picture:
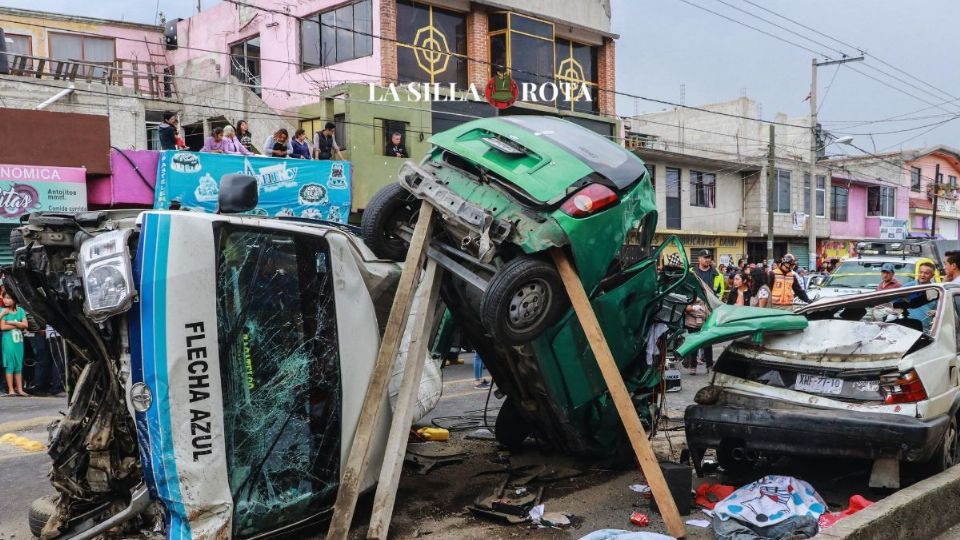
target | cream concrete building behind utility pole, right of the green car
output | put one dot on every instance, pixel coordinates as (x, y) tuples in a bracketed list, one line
[(733, 137)]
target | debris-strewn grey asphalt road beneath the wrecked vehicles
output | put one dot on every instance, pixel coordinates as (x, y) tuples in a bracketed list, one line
[(434, 504)]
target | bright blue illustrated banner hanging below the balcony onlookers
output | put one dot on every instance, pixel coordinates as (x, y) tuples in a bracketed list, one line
[(288, 187)]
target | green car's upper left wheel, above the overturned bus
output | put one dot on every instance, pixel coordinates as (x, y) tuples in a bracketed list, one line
[(390, 208)]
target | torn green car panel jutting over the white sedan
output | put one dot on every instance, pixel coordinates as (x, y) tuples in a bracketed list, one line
[(730, 322)]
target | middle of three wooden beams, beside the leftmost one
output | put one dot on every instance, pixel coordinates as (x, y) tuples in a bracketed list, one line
[(423, 316)]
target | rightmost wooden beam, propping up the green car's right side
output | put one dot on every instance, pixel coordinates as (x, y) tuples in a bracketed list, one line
[(621, 397)]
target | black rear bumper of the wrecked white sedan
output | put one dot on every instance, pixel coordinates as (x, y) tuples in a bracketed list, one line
[(758, 424)]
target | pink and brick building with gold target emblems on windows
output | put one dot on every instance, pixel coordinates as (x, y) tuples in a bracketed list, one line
[(350, 63)]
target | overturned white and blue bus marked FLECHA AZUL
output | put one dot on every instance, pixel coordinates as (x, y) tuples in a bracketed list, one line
[(207, 394)]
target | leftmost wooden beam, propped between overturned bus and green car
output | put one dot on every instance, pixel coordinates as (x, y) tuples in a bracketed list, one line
[(357, 461)]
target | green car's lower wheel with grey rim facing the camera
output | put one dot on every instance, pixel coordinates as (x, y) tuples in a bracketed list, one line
[(524, 298)]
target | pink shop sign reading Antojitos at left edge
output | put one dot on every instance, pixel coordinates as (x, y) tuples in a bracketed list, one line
[(34, 188)]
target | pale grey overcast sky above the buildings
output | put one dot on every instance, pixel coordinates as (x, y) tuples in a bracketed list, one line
[(666, 45)]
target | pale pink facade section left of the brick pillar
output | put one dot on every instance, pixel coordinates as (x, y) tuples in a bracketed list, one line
[(262, 48)]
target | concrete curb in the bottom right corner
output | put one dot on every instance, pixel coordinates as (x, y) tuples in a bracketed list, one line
[(919, 512)]
